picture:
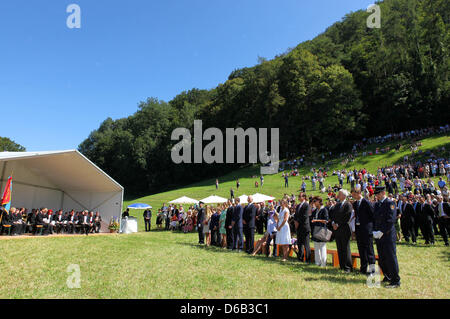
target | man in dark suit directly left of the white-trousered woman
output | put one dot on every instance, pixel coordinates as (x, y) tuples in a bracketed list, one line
[(303, 228)]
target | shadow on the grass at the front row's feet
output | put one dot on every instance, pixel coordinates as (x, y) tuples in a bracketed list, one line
[(327, 274)]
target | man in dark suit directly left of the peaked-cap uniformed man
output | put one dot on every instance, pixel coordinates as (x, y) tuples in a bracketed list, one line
[(363, 230)]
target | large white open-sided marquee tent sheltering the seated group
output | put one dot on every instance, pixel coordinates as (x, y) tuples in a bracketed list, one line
[(60, 180)]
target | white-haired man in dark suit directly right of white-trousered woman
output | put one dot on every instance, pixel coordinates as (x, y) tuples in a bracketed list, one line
[(342, 232)]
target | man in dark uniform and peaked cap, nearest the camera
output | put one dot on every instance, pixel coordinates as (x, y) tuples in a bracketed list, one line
[(385, 217)]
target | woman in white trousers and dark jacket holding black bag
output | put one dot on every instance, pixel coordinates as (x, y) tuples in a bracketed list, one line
[(319, 222)]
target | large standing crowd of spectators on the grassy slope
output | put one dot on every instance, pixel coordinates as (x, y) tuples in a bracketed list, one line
[(393, 204)]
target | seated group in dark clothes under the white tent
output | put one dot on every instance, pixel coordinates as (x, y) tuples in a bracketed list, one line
[(43, 221)]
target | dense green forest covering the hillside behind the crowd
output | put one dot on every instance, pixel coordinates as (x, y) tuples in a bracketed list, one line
[(349, 82)]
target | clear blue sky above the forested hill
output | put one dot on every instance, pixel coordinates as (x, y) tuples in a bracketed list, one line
[(58, 84)]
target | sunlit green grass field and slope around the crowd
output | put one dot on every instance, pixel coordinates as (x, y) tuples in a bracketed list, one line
[(161, 264)]
